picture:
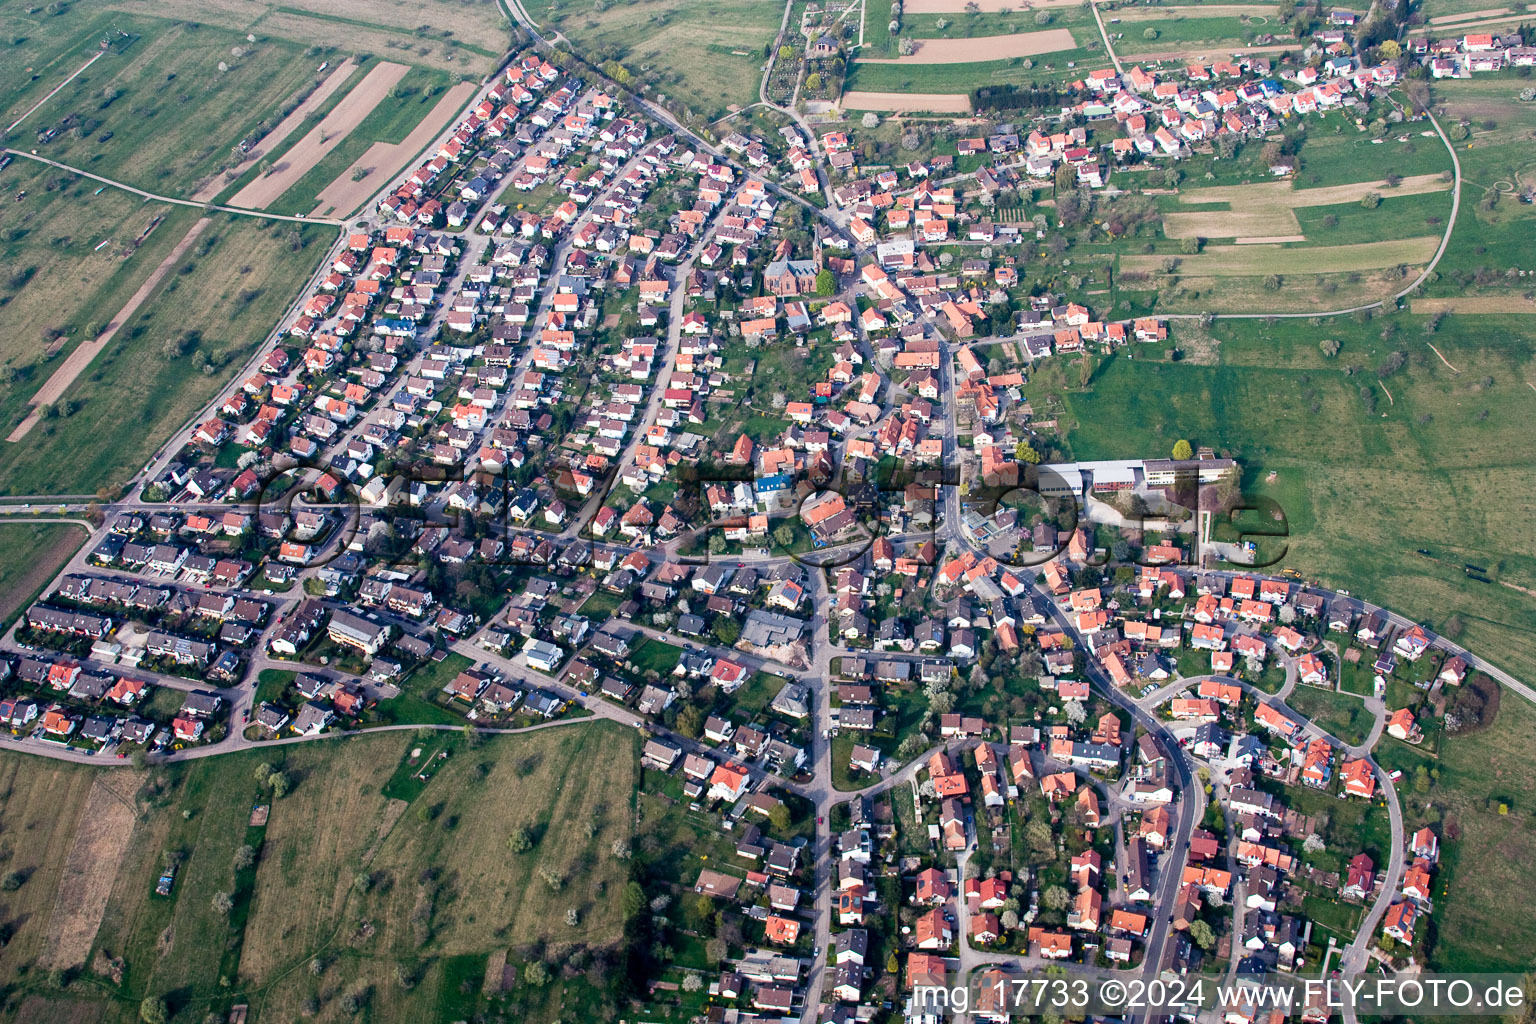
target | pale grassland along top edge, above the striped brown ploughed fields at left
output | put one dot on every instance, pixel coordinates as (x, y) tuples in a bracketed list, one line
[(460, 36)]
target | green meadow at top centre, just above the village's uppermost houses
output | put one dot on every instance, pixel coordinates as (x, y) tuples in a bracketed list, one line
[(709, 55)]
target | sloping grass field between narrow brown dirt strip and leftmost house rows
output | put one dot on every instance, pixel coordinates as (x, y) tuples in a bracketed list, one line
[(213, 311)]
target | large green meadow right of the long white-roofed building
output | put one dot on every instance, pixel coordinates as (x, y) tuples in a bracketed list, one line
[(1365, 483)]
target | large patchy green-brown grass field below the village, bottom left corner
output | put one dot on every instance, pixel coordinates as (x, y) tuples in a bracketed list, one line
[(445, 851)]
